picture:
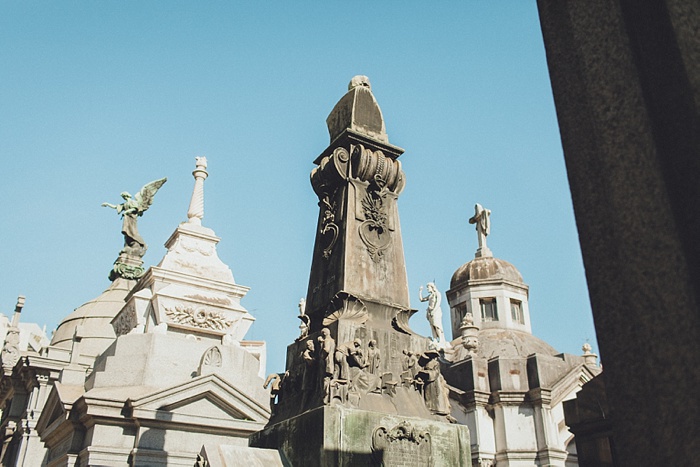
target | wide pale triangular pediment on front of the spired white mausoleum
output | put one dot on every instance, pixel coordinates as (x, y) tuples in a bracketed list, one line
[(206, 400)]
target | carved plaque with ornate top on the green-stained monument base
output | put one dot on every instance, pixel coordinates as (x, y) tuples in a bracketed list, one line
[(402, 445)]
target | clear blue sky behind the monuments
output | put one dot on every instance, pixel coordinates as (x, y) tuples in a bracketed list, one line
[(101, 97)]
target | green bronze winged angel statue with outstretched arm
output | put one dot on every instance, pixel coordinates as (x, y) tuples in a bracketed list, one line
[(131, 209)]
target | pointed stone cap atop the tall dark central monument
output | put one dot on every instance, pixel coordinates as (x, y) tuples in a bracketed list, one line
[(357, 110)]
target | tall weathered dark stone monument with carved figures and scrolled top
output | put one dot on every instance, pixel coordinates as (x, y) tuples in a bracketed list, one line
[(361, 388)]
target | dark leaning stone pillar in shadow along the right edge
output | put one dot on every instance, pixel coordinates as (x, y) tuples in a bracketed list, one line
[(626, 82)]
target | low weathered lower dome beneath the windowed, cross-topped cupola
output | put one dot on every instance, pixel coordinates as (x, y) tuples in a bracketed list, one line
[(506, 343)]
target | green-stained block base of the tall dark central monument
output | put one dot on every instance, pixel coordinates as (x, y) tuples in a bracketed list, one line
[(339, 436)]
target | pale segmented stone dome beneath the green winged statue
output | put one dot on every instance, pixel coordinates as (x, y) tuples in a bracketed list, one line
[(94, 319)]
